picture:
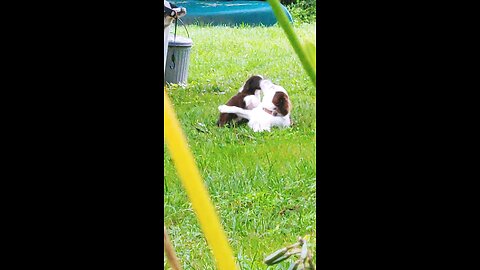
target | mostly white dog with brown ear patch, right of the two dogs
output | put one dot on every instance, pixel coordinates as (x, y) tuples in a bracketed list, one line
[(273, 110)]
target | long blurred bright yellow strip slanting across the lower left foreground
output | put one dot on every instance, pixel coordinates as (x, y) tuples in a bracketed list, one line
[(195, 188)]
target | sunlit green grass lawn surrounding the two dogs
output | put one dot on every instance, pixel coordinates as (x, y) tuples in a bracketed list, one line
[(262, 184)]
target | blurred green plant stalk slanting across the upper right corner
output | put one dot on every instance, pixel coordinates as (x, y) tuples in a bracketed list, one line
[(292, 37)]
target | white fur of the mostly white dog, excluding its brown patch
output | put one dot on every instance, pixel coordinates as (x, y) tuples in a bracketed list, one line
[(258, 119)]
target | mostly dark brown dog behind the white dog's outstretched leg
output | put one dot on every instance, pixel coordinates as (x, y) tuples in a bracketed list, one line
[(248, 97)]
